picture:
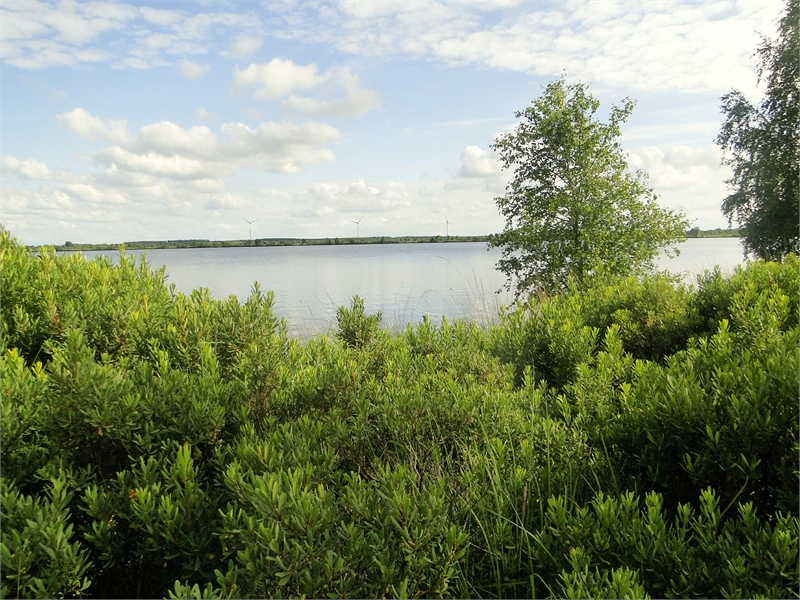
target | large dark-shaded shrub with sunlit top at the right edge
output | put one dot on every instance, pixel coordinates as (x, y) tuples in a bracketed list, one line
[(727, 417)]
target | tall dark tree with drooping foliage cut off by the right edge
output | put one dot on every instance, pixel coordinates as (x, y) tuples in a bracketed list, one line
[(762, 145)]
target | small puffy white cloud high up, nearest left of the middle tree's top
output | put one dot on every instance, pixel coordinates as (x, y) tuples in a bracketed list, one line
[(282, 77)]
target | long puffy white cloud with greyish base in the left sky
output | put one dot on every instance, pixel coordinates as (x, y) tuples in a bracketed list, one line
[(167, 150)]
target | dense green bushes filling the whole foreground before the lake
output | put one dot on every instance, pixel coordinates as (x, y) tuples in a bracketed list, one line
[(634, 438)]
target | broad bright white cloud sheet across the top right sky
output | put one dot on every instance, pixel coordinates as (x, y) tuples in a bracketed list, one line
[(648, 46)]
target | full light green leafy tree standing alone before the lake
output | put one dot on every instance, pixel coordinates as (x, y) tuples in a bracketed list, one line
[(573, 209)]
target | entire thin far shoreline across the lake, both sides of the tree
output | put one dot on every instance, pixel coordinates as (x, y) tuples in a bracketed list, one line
[(328, 241)]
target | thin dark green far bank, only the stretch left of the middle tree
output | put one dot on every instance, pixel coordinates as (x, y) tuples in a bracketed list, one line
[(267, 242)]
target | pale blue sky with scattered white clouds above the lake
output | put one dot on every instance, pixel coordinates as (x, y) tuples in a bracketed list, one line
[(179, 120)]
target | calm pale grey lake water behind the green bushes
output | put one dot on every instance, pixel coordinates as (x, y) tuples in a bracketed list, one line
[(405, 281)]
